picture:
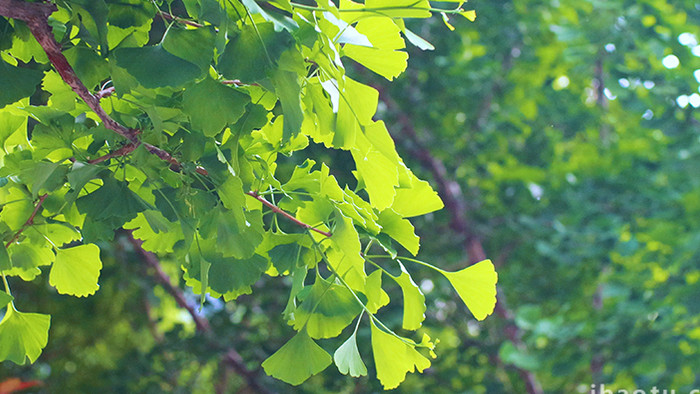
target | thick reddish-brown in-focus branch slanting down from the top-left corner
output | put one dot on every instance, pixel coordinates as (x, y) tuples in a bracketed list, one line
[(36, 15)]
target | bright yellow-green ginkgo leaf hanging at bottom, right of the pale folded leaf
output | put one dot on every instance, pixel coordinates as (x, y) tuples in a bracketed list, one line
[(394, 358)]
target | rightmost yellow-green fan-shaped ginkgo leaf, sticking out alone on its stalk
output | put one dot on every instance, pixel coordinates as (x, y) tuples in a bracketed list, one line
[(476, 286)]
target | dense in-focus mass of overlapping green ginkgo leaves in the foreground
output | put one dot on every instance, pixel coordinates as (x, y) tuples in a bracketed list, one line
[(217, 101)]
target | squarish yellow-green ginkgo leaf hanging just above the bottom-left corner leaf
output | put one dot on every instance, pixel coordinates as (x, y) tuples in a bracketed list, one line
[(76, 270)]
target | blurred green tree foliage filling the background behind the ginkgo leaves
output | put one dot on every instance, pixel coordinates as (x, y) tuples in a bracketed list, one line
[(562, 136)]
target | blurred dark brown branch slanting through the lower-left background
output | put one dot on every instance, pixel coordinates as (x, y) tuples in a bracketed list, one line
[(231, 357)]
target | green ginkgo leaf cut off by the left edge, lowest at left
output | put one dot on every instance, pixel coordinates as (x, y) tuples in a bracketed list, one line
[(23, 336)]
